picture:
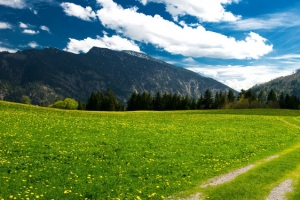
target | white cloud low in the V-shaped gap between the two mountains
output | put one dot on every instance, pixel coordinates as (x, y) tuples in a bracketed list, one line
[(243, 77)]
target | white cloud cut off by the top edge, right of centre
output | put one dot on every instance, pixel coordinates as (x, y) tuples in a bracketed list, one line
[(204, 10)]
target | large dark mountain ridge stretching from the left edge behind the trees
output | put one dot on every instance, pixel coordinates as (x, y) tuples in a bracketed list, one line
[(50, 74)]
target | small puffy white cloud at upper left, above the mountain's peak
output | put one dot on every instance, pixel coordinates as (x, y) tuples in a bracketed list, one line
[(74, 10)]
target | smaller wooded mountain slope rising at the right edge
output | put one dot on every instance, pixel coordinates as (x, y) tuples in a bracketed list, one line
[(287, 84)]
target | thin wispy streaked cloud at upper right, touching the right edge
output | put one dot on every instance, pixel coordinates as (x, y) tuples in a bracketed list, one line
[(269, 21)]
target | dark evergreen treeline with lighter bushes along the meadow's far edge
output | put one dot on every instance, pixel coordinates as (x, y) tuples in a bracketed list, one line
[(162, 102)]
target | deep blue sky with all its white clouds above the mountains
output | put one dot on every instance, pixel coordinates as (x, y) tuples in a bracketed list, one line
[(240, 43)]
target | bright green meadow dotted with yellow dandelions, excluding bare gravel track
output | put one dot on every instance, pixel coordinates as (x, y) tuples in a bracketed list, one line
[(56, 154)]
